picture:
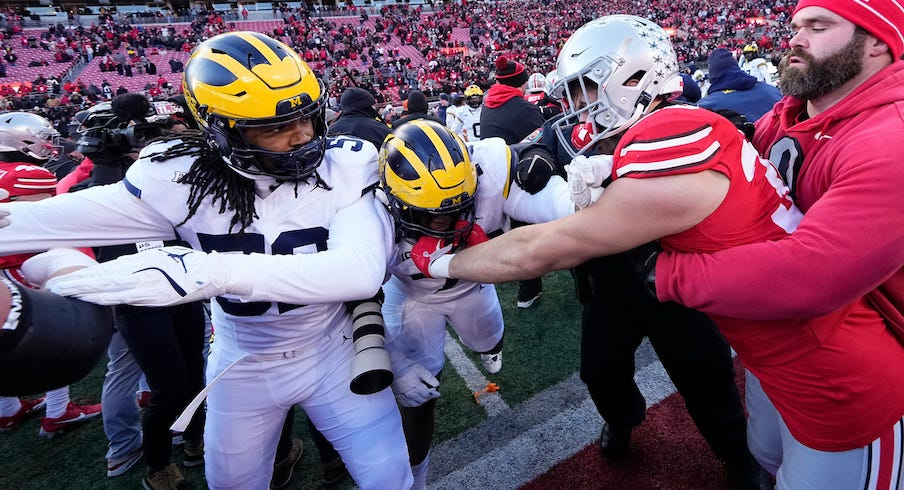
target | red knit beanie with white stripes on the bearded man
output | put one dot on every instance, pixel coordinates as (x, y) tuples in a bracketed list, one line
[(881, 18)]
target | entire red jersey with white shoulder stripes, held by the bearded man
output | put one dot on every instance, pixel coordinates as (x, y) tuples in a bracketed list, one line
[(810, 368)]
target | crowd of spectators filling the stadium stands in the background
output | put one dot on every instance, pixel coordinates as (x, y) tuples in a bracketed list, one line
[(456, 45)]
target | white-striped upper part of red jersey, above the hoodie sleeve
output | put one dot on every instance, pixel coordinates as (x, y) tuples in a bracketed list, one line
[(684, 139)]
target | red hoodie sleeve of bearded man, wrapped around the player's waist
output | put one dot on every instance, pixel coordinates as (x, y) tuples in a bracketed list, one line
[(849, 242)]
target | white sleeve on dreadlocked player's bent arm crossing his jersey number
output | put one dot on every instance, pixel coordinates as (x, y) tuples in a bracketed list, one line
[(357, 248)]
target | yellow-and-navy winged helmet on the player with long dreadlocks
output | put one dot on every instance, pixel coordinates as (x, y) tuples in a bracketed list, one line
[(242, 80)]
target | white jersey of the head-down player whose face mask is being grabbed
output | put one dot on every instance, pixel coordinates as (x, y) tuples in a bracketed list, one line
[(498, 199)]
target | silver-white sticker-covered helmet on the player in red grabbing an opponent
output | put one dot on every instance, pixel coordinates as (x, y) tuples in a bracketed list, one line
[(610, 71)]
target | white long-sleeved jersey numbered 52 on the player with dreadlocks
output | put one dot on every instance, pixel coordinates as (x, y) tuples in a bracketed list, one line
[(308, 253)]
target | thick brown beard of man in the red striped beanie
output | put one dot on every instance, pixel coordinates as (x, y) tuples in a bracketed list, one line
[(822, 76)]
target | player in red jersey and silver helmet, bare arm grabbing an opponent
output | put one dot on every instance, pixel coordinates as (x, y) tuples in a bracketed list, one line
[(685, 176)]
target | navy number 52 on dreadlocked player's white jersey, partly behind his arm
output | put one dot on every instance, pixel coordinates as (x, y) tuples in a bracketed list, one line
[(285, 244)]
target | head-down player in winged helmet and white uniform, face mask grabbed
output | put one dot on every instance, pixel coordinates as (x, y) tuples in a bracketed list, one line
[(439, 187)]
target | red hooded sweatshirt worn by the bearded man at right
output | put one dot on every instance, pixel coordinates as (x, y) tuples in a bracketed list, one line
[(850, 242)]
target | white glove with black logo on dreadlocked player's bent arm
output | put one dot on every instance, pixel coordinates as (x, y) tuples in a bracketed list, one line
[(159, 277)]
